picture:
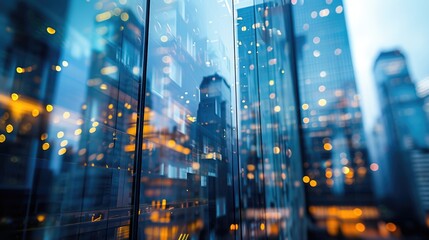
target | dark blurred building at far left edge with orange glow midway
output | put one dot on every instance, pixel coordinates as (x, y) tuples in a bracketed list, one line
[(28, 79)]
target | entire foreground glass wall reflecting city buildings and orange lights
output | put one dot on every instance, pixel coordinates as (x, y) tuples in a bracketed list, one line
[(171, 119)]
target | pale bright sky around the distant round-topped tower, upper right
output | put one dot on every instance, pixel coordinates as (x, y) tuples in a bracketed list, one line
[(382, 25)]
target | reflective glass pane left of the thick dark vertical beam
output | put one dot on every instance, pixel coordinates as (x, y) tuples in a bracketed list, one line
[(69, 71)]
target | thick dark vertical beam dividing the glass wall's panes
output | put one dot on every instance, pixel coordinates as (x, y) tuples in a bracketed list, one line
[(135, 199)]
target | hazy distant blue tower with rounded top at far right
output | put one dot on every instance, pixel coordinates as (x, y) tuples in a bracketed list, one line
[(402, 135)]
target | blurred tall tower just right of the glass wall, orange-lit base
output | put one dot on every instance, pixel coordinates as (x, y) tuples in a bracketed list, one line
[(336, 164)]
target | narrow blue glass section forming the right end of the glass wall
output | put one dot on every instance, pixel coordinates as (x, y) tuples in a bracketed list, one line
[(270, 158)]
